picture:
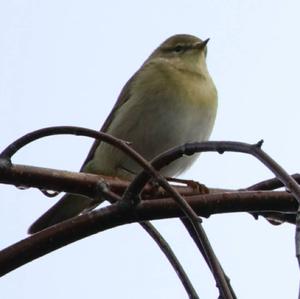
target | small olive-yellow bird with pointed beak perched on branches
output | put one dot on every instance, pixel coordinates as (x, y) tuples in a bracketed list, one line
[(171, 100)]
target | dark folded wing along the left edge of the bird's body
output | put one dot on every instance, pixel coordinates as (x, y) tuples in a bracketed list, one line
[(123, 98)]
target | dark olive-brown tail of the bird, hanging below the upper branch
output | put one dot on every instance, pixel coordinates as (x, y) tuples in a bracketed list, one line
[(68, 206)]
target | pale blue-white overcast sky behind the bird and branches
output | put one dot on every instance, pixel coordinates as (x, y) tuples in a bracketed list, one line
[(65, 62)]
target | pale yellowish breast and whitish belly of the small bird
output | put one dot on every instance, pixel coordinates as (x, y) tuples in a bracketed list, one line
[(165, 109)]
